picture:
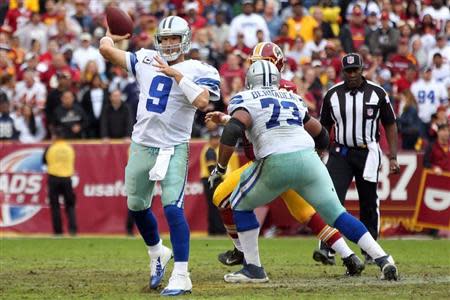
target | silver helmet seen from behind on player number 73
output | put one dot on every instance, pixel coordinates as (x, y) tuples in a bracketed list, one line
[(262, 74)]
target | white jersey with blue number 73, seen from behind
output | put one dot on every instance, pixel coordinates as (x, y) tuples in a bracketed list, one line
[(277, 121)]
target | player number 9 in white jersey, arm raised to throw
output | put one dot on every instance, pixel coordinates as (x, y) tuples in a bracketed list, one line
[(171, 90)]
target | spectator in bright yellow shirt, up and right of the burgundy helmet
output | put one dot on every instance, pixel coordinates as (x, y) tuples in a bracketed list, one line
[(300, 24)]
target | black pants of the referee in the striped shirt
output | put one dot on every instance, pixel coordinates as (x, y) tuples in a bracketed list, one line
[(343, 164)]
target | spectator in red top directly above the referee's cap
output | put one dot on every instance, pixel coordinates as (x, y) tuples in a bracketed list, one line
[(352, 35)]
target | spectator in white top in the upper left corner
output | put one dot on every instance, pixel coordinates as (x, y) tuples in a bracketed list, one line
[(34, 30)]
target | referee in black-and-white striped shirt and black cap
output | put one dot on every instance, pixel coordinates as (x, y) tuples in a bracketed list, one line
[(355, 108)]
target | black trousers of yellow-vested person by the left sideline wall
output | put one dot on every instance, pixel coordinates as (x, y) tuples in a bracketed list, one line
[(62, 186)]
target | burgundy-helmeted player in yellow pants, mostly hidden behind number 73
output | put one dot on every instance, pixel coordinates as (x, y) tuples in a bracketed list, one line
[(297, 206)]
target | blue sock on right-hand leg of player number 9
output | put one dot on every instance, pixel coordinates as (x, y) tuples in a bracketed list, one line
[(179, 232)]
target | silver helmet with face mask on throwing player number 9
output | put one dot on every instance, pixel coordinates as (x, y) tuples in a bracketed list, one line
[(169, 26)]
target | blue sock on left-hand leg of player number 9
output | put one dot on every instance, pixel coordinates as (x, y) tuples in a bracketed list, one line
[(147, 226)]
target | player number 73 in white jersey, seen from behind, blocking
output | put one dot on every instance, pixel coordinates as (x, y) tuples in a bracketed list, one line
[(276, 123)]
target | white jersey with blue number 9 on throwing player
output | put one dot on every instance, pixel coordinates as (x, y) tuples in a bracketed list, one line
[(164, 115)]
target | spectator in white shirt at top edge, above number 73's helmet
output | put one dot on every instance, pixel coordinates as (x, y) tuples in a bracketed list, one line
[(248, 23)]
